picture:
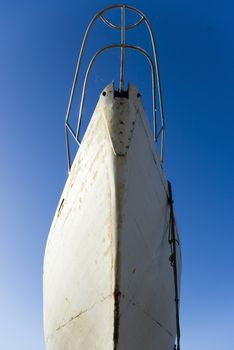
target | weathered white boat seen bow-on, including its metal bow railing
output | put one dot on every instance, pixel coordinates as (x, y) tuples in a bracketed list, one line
[(112, 264)]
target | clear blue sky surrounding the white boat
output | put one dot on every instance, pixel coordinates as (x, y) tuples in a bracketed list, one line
[(39, 45)]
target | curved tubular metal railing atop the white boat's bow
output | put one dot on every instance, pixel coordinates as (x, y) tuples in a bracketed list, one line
[(122, 46)]
